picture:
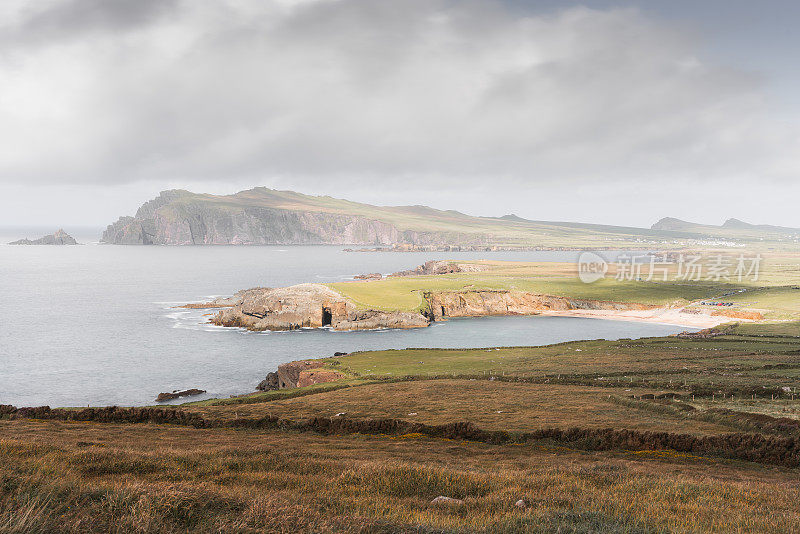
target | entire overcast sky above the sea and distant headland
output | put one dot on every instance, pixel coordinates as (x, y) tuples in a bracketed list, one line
[(614, 112)]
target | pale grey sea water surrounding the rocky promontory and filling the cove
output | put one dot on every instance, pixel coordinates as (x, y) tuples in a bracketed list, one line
[(96, 324)]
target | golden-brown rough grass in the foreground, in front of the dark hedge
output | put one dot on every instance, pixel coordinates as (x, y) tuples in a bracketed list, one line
[(85, 477)]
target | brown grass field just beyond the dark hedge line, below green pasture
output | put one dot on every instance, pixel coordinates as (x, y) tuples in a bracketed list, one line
[(492, 405)]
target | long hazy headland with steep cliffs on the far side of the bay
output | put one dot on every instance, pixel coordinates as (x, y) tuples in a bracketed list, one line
[(266, 216)]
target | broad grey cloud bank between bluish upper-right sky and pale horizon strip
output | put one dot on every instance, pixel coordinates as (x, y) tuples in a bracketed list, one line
[(416, 91)]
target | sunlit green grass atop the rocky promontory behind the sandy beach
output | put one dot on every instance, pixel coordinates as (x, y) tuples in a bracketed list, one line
[(776, 291)]
